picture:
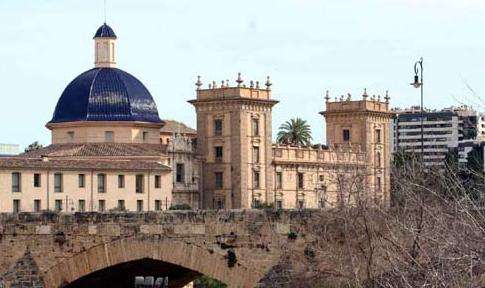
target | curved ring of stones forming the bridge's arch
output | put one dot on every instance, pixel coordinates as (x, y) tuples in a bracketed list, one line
[(174, 251)]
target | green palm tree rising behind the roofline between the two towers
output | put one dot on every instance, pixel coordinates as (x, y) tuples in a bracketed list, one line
[(295, 132)]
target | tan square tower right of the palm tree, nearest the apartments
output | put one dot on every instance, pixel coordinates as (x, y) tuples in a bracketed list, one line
[(365, 125)]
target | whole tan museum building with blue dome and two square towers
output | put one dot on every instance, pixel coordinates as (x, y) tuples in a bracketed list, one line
[(111, 151)]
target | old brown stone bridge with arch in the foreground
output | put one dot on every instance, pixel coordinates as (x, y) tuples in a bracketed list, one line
[(240, 248)]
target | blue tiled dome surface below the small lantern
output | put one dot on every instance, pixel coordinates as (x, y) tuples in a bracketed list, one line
[(106, 94)]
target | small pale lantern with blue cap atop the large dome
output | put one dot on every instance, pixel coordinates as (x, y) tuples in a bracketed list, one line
[(104, 47)]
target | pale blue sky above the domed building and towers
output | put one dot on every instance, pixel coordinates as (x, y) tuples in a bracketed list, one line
[(306, 46)]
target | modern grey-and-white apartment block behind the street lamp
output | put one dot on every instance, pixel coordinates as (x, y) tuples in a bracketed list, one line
[(453, 129)]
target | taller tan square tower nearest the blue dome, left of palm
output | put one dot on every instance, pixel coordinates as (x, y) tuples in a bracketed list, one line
[(234, 143)]
